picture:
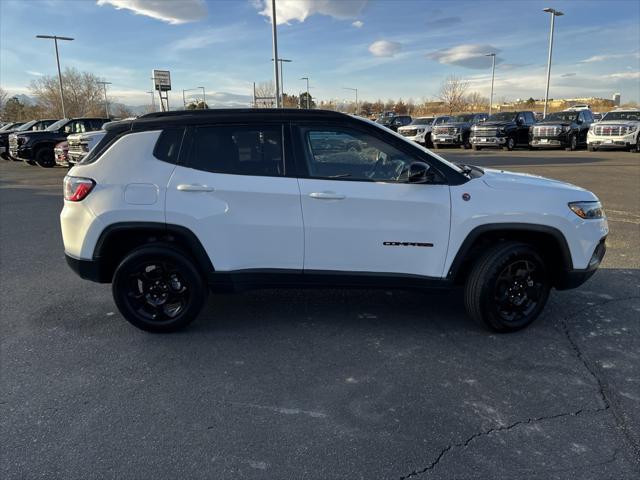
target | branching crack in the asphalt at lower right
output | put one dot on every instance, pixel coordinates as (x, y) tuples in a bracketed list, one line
[(602, 390)]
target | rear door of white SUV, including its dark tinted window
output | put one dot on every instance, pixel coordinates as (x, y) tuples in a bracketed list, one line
[(233, 193)]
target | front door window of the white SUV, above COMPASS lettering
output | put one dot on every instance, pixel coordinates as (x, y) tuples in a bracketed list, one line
[(340, 153)]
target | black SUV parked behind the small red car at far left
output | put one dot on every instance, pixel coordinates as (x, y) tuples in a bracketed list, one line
[(37, 147)]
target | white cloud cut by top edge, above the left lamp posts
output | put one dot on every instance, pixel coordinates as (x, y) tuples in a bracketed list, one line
[(171, 11)]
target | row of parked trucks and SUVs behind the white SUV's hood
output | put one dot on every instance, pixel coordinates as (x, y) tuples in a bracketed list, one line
[(569, 129)]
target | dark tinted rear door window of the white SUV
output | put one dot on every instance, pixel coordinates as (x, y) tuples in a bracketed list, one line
[(239, 150)]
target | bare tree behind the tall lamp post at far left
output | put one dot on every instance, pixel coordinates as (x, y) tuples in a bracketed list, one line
[(83, 94)]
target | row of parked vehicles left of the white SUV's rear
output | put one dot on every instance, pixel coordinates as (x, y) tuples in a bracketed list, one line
[(49, 142)]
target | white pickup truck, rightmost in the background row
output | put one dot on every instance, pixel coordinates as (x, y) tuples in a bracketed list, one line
[(618, 129)]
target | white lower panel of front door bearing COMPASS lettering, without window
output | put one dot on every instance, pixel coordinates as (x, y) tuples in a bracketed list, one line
[(349, 233)]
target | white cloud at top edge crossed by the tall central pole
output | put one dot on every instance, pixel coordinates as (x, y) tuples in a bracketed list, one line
[(288, 10)]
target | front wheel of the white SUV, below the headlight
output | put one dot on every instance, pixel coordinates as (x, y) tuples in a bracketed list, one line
[(500, 294)]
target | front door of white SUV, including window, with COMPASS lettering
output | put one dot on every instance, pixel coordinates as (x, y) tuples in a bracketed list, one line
[(361, 214)]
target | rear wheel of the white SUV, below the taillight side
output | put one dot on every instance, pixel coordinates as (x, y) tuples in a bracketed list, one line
[(147, 278)]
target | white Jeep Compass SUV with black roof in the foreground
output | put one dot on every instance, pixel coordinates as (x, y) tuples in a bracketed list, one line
[(172, 204)]
